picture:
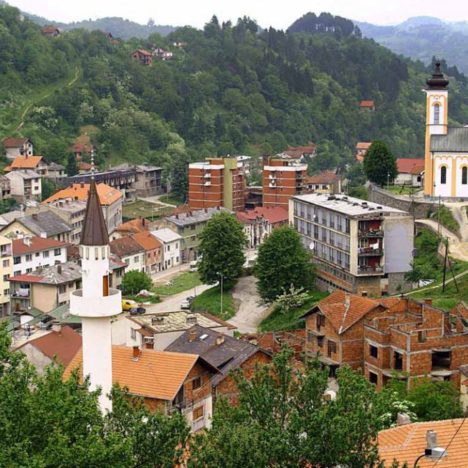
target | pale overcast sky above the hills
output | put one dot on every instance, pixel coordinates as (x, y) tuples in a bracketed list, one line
[(276, 13)]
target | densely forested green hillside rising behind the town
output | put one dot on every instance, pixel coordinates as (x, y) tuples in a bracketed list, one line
[(231, 89)]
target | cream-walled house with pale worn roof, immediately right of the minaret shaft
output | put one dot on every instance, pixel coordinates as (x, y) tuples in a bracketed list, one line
[(158, 331)]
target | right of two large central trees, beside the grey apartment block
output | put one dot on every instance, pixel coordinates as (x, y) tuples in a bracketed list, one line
[(282, 263)]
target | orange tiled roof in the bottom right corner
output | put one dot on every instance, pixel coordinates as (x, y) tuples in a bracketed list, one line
[(406, 443)]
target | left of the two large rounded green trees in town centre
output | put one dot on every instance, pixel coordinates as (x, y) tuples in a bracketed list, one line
[(222, 243)]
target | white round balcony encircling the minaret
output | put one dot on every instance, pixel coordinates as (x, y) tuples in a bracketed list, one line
[(96, 307)]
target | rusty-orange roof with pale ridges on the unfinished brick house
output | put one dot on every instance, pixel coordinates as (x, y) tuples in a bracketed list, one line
[(343, 315)]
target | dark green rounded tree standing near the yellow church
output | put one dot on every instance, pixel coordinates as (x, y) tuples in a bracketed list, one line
[(380, 164)]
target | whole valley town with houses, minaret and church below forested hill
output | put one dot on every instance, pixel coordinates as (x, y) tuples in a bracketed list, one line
[(271, 297)]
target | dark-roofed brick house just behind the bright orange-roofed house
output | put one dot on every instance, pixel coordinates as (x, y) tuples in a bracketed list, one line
[(223, 352)]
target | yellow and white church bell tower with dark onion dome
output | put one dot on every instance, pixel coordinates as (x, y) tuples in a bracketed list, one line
[(436, 122)]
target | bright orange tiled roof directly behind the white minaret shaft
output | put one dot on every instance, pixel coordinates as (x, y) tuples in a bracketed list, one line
[(156, 374)]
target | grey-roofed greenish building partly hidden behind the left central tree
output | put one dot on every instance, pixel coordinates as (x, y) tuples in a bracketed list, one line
[(189, 226)]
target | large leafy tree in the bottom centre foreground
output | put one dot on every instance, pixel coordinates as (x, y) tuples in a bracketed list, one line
[(283, 420)]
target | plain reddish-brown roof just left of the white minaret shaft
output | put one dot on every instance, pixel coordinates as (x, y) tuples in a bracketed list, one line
[(62, 345)]
